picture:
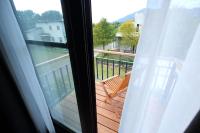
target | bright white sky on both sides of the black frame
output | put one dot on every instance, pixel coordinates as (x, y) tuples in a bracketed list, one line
[(110, 9)]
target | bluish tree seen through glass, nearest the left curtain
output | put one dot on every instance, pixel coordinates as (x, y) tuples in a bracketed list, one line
[(28, 19)]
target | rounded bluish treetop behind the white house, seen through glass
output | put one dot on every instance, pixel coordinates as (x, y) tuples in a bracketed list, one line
[(51, 16)]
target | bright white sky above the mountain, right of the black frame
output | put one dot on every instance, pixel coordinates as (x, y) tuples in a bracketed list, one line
[(114, 9)]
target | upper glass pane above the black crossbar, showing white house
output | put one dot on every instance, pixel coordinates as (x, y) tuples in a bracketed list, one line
[(41, 21)]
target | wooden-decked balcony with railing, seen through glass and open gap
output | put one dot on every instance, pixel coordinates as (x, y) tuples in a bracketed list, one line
[(57, 85)]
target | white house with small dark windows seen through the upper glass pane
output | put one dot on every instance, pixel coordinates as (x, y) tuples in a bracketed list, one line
[(47, 31)]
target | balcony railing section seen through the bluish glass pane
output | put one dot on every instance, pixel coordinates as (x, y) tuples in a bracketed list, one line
[(56, 84)]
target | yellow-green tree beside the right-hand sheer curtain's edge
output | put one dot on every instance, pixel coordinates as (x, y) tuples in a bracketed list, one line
[(130, 36)]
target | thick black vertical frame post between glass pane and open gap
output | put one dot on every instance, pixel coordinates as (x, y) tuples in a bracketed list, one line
[(78, 26)]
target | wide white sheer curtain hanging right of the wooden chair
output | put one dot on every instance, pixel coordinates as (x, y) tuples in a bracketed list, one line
[(163, 94)]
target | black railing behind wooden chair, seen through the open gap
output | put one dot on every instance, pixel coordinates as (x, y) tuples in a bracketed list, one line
[(106, 67)]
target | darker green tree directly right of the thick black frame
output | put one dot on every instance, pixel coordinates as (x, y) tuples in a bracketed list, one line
[(103, 33)]
